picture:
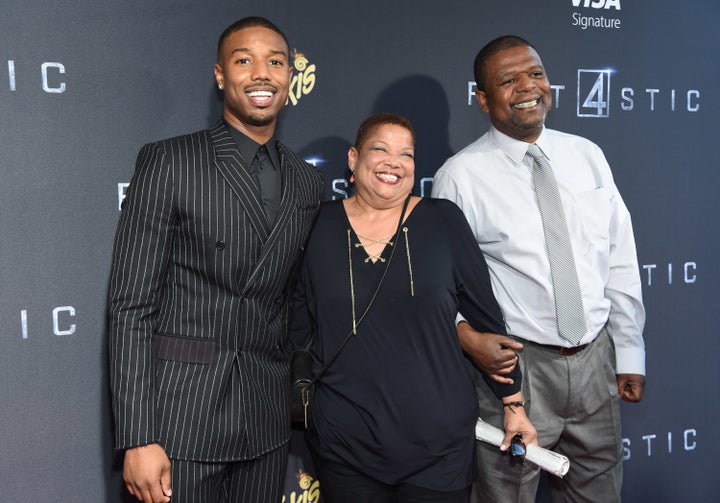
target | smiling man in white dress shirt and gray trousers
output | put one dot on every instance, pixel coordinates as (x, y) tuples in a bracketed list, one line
[(572, 388)]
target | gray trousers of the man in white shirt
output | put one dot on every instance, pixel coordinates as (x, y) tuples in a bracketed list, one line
[(574, 406)]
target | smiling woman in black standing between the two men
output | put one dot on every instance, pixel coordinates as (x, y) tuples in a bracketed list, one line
[(393, 417)]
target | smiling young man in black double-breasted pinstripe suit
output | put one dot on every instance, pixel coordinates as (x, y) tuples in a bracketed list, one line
[(210, 231)]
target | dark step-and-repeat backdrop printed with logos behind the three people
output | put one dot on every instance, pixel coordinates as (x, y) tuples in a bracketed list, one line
[(84, 84)]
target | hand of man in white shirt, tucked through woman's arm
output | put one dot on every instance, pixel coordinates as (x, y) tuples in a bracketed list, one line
[(493, 354)]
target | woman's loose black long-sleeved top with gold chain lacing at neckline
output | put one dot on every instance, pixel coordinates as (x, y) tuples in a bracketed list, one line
[(399, 403)]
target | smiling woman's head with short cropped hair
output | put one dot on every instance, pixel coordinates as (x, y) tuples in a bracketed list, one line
[(384, 165)]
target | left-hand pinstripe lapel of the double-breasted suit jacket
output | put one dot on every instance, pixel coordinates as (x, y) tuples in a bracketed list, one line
[(235, 170)]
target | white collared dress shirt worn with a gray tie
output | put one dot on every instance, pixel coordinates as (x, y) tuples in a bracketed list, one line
[(491, 181)]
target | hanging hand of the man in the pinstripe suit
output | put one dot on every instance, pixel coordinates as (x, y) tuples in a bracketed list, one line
[(146, 472)]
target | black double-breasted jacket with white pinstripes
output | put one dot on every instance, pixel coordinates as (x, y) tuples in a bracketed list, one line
[(198, 300)]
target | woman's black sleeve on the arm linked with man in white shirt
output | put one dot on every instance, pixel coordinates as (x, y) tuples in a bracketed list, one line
[(476, 300)]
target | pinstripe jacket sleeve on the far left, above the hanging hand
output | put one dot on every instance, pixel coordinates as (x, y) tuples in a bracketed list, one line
[(141, 253)]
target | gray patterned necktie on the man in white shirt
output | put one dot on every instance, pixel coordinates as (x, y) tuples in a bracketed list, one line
[(568, 298)]
